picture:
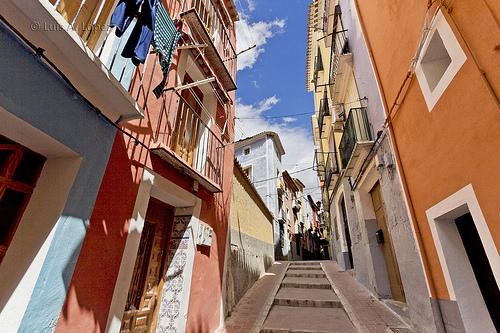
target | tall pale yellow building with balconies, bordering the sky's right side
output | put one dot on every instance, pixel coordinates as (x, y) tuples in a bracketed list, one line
[(330, 78)]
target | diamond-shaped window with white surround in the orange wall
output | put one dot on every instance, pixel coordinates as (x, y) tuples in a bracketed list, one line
[(440, 60)]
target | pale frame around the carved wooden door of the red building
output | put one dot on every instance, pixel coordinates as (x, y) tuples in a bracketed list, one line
[(185, 203)]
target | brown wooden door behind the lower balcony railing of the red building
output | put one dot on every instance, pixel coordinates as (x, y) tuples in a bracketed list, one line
[(186, 132)]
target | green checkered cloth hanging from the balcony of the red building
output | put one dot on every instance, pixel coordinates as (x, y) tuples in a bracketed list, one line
[(166, 36)]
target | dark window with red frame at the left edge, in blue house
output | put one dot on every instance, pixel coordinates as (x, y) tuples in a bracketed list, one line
[(19, 172)]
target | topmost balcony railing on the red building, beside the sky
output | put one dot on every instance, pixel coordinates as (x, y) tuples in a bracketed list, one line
[(210, 15)]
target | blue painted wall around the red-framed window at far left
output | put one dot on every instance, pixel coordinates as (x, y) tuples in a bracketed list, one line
[(30, 90)]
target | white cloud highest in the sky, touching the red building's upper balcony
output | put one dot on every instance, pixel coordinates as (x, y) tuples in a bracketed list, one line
[(257, 33)]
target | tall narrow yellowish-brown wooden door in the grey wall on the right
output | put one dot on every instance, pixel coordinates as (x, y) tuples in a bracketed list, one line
[(390, 258)]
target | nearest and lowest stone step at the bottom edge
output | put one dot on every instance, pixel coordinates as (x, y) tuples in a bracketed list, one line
[(307, 319)]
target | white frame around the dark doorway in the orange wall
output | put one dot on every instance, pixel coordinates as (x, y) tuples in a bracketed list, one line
[(458, 275)]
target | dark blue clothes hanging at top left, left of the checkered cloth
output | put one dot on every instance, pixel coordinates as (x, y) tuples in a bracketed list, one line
[(137, 46)]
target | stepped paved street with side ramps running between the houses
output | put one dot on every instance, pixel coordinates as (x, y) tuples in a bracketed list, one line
[(306, 297)]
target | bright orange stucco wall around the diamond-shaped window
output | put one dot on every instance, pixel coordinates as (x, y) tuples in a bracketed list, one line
[(458, 143)]
